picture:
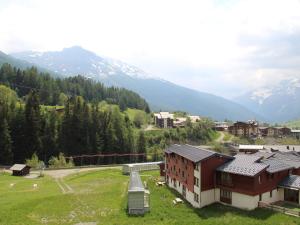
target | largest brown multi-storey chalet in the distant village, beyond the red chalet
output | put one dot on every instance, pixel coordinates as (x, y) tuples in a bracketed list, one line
[(246, 129)]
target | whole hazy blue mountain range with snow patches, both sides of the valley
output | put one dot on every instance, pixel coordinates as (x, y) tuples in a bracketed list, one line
[(272, 104)]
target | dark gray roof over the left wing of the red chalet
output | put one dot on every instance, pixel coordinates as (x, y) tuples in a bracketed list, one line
[(192, 153)]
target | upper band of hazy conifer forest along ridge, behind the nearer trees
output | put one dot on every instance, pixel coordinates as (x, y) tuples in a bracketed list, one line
[(55, 91)]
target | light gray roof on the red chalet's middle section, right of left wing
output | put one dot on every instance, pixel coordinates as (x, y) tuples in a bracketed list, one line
[(246, 165)]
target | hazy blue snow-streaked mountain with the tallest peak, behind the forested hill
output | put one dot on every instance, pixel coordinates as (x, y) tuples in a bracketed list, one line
[(161, 94)]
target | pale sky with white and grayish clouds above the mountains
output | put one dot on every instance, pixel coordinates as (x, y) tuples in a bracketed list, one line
[(221, 47)]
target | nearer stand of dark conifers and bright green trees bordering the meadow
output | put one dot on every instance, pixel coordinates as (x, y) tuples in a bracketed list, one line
[(78, 128)]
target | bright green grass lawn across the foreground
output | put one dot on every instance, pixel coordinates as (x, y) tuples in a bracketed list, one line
[(100, 196)]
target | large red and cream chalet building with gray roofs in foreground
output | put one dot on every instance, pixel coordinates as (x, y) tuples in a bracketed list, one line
[(204, 177)]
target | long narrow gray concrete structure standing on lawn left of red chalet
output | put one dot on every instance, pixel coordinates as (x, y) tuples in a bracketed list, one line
[(138, 196)]
